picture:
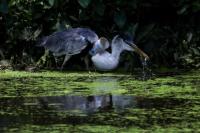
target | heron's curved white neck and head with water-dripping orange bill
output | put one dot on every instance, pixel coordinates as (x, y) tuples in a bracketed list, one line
[(106, 61)]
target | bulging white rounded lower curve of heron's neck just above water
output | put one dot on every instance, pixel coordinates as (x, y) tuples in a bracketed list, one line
[(104, 61)]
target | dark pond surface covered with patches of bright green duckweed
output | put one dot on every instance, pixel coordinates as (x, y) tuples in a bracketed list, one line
[(99, 103)]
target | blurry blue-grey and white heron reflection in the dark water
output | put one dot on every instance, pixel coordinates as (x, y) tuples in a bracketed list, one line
[(88, 104)]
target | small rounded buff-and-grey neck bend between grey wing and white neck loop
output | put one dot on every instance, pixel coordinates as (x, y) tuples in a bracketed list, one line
[(100, 46)]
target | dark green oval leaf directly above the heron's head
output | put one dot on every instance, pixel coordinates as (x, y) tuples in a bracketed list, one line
[(120, 19)]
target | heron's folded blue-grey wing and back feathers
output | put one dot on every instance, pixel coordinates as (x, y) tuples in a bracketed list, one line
[(70, 41)]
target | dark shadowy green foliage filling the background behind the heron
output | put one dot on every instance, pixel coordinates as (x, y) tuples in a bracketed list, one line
[(168, 31)]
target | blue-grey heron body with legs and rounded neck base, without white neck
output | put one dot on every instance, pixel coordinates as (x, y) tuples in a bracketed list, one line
[(73, 41)]
